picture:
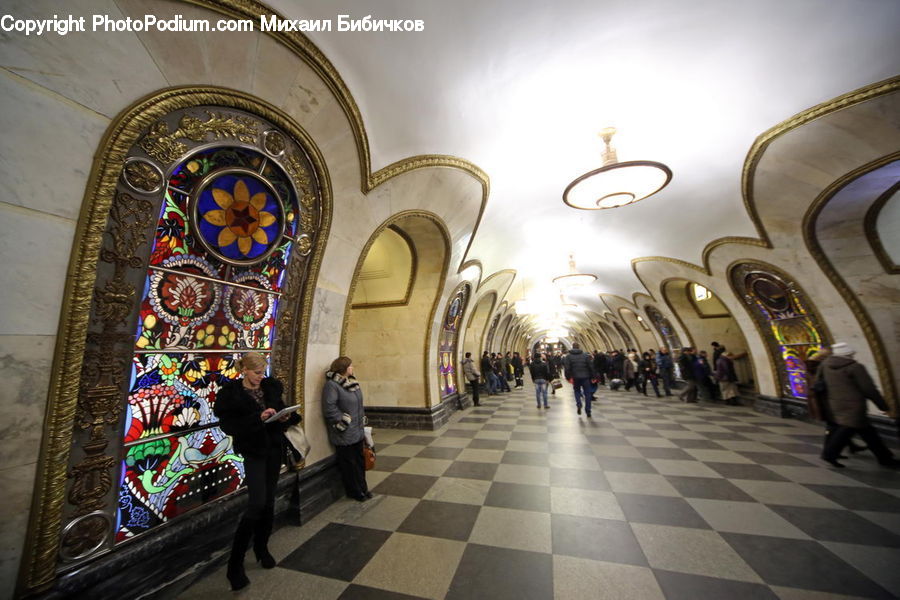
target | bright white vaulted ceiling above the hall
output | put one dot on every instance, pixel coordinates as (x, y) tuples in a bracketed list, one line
[(521, 88)]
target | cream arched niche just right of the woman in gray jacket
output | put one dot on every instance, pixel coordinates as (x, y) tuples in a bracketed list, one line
[(390, 343)]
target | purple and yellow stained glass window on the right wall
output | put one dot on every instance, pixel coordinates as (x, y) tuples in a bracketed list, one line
[(787, 321)]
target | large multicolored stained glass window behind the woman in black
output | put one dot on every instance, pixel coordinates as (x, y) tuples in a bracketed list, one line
[(229, 224)]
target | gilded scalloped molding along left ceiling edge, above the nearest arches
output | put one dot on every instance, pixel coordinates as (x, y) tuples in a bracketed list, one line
[(309, 53)]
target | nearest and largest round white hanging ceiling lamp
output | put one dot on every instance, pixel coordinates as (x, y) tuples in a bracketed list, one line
[(616, 183)]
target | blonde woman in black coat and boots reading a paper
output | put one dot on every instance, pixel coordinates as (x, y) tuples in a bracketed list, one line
[(243, 406)]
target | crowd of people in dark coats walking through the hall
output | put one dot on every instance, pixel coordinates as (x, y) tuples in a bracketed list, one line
[(839, 386)]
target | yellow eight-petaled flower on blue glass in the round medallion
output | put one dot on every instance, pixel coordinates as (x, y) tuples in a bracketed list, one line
[(242, 217)]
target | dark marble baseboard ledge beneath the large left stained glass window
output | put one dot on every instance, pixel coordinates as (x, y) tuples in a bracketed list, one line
[(162, 564)]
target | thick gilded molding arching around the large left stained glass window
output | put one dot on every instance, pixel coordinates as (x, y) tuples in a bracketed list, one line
[(39, 561)]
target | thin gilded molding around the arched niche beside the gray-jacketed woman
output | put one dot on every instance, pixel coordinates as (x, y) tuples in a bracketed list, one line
[(445, 238)]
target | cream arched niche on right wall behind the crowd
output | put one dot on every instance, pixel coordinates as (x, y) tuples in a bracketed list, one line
[(705, 330)]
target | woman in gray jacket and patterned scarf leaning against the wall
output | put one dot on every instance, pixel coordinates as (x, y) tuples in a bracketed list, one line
[(344, 416)]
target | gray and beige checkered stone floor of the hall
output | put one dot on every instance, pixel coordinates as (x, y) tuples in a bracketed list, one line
[(651, 498)]
